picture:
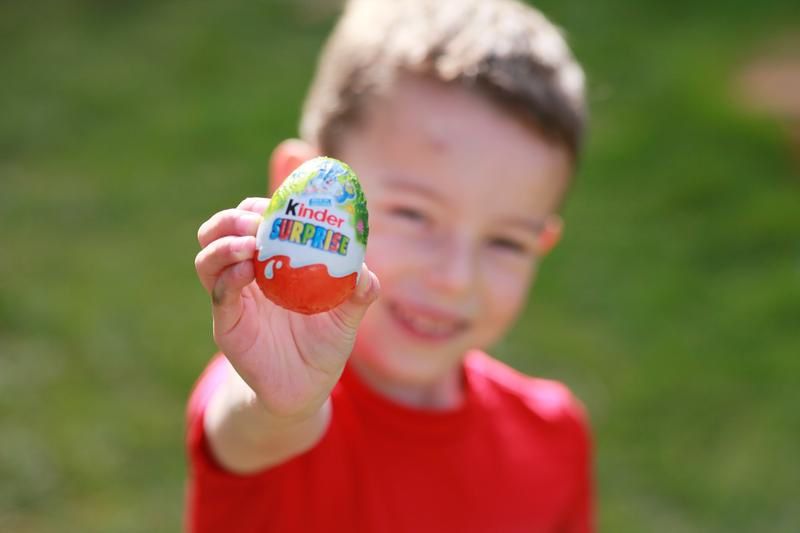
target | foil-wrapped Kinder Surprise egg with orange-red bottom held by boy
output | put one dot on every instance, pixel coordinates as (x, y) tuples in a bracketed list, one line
[(312, 240)]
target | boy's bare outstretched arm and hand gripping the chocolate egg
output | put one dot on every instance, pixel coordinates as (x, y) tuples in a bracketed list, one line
[(274, 403)]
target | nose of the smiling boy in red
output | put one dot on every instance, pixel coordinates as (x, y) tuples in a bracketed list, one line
[(454, 270)]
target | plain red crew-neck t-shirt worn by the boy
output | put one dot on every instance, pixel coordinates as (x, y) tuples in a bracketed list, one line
[(514, 457)]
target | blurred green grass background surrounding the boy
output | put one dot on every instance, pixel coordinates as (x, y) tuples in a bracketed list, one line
[(672, 307)]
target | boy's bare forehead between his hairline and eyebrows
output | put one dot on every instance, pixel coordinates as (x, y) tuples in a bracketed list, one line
[(459, 144)]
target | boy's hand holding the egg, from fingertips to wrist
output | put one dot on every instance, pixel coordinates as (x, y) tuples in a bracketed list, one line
[(290, 360)]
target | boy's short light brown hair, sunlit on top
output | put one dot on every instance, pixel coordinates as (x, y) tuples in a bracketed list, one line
[(503, 49)]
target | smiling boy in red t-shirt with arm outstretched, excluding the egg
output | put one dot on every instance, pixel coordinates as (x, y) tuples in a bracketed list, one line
[(463, 120)]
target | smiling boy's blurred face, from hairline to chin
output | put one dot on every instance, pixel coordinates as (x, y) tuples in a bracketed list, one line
[(458, 192)]
